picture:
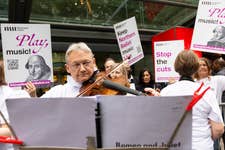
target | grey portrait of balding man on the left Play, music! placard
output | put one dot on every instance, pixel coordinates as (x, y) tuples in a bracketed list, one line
[(37, 68)]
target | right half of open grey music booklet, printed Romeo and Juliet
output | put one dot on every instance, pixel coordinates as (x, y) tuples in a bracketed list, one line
[(145, 121)]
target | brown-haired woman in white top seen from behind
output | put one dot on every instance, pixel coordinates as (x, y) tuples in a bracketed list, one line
[(207, 122)]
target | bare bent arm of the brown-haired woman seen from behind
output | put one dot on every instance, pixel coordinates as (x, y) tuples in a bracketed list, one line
[(217, 129)]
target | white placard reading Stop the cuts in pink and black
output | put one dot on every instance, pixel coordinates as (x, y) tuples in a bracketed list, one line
[(165, 53)]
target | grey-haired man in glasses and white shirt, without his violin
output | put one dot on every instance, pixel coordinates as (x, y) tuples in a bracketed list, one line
[(80, 64)]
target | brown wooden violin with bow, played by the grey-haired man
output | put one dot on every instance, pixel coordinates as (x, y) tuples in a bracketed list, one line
[(101, 84)]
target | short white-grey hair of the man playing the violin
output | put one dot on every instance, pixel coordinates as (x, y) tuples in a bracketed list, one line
[(77, 46)]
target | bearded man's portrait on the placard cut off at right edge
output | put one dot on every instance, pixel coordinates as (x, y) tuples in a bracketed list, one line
[(218, 39)]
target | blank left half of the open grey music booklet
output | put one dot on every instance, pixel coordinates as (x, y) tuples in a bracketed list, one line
[(67, 124)]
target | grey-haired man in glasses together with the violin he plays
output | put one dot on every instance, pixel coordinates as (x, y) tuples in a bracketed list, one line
[(85, 80)]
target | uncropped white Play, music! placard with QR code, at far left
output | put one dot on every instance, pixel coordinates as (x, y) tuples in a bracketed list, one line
[(23, 42)]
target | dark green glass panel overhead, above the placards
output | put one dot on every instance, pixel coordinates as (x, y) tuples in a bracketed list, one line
[(149, 15)]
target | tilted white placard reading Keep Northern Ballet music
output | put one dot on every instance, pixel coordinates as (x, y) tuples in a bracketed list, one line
[(129, 40)]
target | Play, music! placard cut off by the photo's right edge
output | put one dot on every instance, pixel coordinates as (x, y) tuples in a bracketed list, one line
[(209, 30)]
